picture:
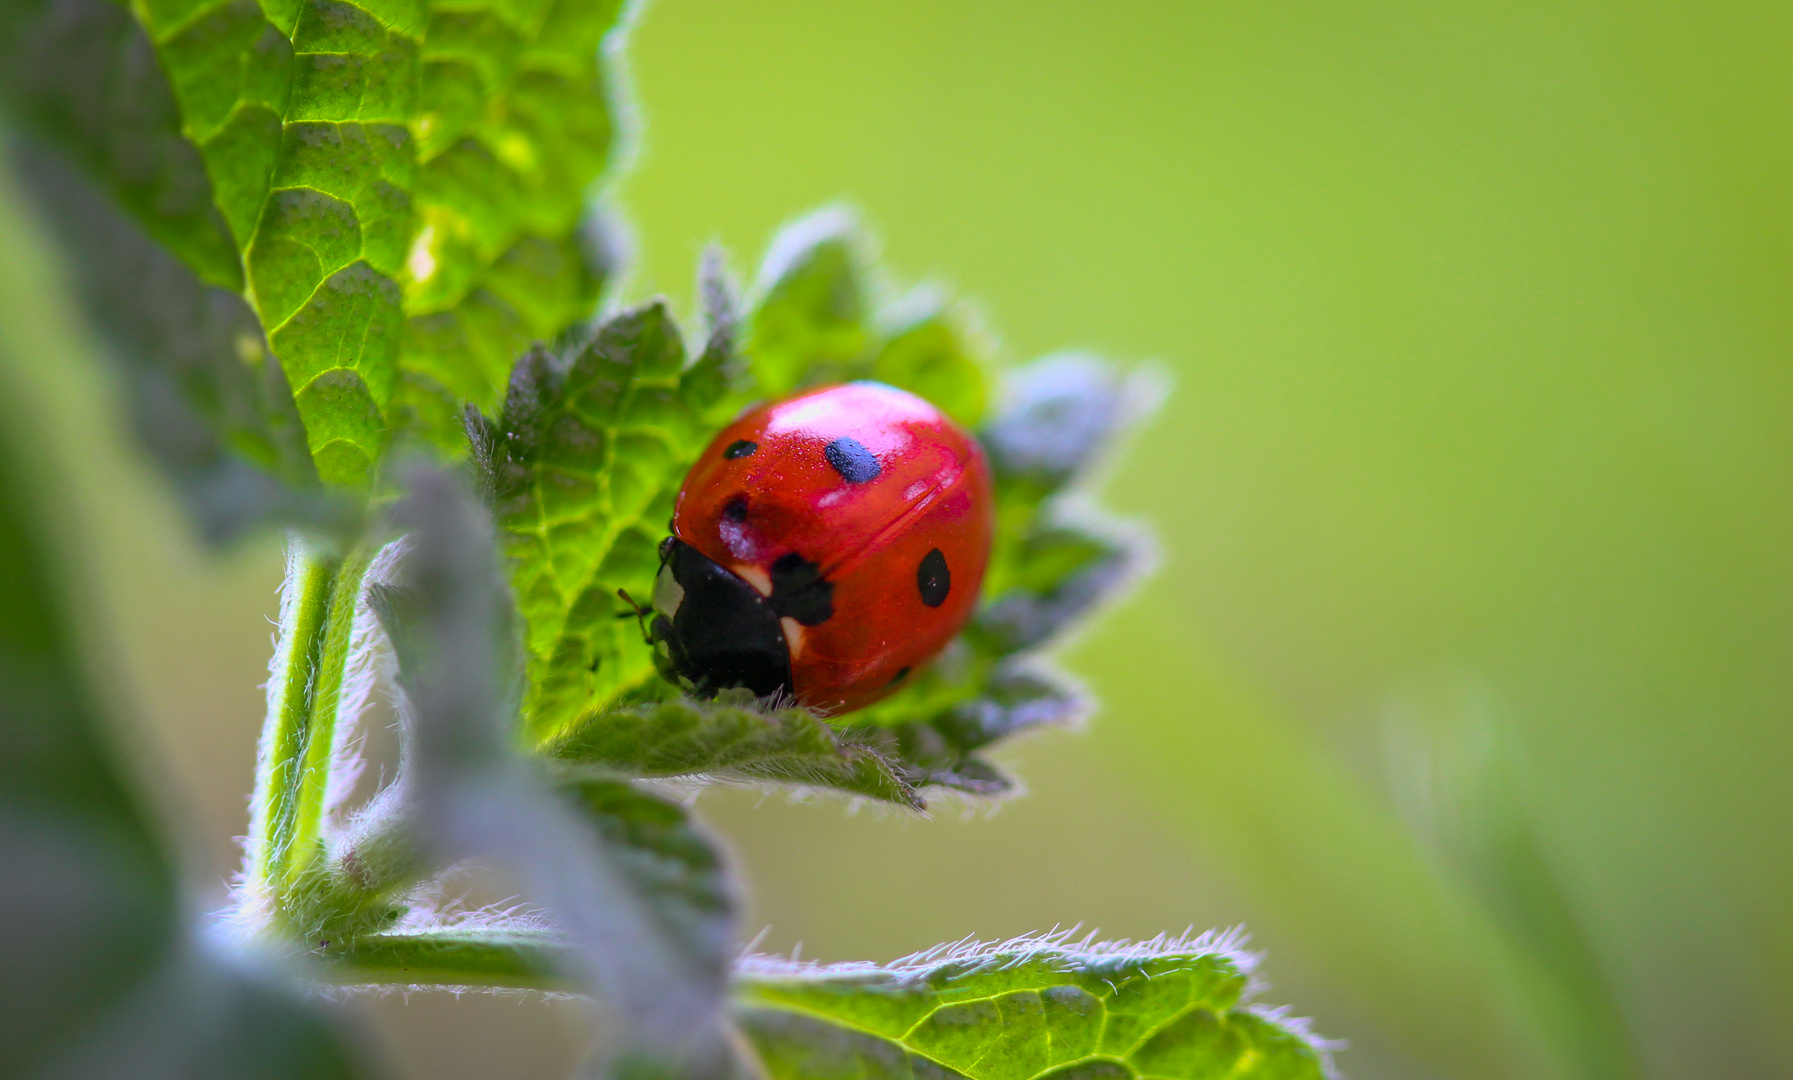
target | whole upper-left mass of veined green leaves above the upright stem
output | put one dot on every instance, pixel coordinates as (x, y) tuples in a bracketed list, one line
[(397, 191)]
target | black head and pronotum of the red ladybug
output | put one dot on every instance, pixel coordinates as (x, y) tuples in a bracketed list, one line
[(713, 631)]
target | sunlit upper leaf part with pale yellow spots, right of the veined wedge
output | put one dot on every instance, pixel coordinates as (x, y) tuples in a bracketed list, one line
[(515, 125)]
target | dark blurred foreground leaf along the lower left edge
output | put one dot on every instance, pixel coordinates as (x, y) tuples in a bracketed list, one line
[(103, 977)]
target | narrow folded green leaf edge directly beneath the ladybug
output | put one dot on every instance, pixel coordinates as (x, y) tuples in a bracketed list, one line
[(732, 738)]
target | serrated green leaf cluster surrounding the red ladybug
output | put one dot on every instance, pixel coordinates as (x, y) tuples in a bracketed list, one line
[(585, 460)]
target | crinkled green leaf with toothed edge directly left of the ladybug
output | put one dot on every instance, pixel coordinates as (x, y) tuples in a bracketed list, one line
[(584, 466)]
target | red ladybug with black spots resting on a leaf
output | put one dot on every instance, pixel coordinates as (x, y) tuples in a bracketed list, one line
[(824, 548)]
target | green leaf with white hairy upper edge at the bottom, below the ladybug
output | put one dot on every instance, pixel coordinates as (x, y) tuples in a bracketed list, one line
[(1016, 1011)]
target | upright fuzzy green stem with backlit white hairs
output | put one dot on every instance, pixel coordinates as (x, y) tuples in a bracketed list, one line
[(299, 738)]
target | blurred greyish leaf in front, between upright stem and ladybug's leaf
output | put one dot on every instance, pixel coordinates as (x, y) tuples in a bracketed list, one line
[(469, 796)]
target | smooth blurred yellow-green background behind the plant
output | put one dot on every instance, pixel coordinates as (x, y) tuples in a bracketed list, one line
[(1466, 679)]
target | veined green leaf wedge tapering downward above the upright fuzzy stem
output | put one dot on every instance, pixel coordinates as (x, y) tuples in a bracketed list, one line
[(304, 132)]
